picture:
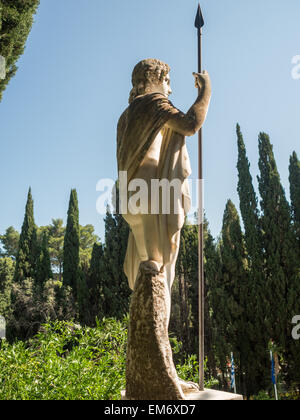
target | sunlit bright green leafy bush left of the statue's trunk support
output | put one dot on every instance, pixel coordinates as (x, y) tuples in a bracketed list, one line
[(66, 362)]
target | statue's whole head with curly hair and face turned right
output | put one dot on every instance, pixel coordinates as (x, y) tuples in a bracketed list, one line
[(150, 76)]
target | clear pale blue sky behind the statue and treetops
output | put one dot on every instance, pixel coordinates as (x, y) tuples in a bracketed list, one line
[(59, 114)]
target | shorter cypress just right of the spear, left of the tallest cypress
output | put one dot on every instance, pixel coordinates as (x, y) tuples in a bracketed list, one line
[(235, 290)]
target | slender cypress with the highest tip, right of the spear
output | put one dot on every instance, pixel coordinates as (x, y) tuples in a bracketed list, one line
[(253, 239)]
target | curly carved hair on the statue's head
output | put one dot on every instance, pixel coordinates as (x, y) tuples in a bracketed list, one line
[(145, 73)]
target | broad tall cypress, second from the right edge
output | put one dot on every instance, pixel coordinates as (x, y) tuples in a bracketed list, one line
[(279, 246)]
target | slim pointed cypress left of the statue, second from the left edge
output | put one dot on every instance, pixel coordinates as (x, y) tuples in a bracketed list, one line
[(71, 245)]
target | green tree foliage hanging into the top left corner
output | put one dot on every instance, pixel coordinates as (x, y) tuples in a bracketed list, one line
[(16, 19)]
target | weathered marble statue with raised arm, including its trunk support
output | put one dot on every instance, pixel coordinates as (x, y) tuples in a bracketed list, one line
[(151, 146)]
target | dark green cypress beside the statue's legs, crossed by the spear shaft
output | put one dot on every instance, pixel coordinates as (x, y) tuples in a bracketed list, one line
[(185, 304)]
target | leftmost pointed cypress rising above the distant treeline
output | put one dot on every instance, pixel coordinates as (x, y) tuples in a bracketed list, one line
[(26, 261)]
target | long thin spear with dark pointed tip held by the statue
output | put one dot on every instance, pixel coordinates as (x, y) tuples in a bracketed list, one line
[(199, 23)]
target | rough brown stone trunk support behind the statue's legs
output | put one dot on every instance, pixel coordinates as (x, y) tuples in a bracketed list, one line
[(150, 371)]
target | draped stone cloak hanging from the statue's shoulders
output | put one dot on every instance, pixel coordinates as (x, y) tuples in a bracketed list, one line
[(138, 127)]
